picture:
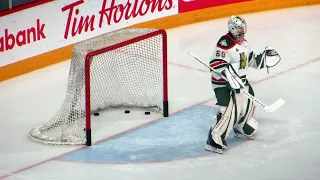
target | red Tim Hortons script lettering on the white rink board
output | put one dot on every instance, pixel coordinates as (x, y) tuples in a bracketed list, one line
[(114, 13)]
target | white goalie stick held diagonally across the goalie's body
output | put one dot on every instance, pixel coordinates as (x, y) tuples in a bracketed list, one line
[(276, 105)]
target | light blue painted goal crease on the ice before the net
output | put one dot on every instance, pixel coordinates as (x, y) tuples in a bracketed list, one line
[(181, 136)]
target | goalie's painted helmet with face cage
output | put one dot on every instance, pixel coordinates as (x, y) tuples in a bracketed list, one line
[(237, 27)]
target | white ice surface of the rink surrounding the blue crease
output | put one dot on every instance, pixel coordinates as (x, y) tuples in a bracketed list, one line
[(286, 146)]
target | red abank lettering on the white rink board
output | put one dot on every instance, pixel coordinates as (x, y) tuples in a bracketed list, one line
[(22, 37)]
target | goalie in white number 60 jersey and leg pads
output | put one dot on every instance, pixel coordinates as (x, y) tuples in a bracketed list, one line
[(231, 59)]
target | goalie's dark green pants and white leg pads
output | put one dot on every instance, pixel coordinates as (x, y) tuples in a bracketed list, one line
[(235, 112)]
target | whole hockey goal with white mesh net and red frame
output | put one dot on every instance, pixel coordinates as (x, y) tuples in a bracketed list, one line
[(124, 68)]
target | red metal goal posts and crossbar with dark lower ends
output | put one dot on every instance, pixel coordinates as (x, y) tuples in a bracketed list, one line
[(88, 59)]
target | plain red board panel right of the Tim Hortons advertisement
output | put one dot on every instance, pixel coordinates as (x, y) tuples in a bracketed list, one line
[(190, 5)]
